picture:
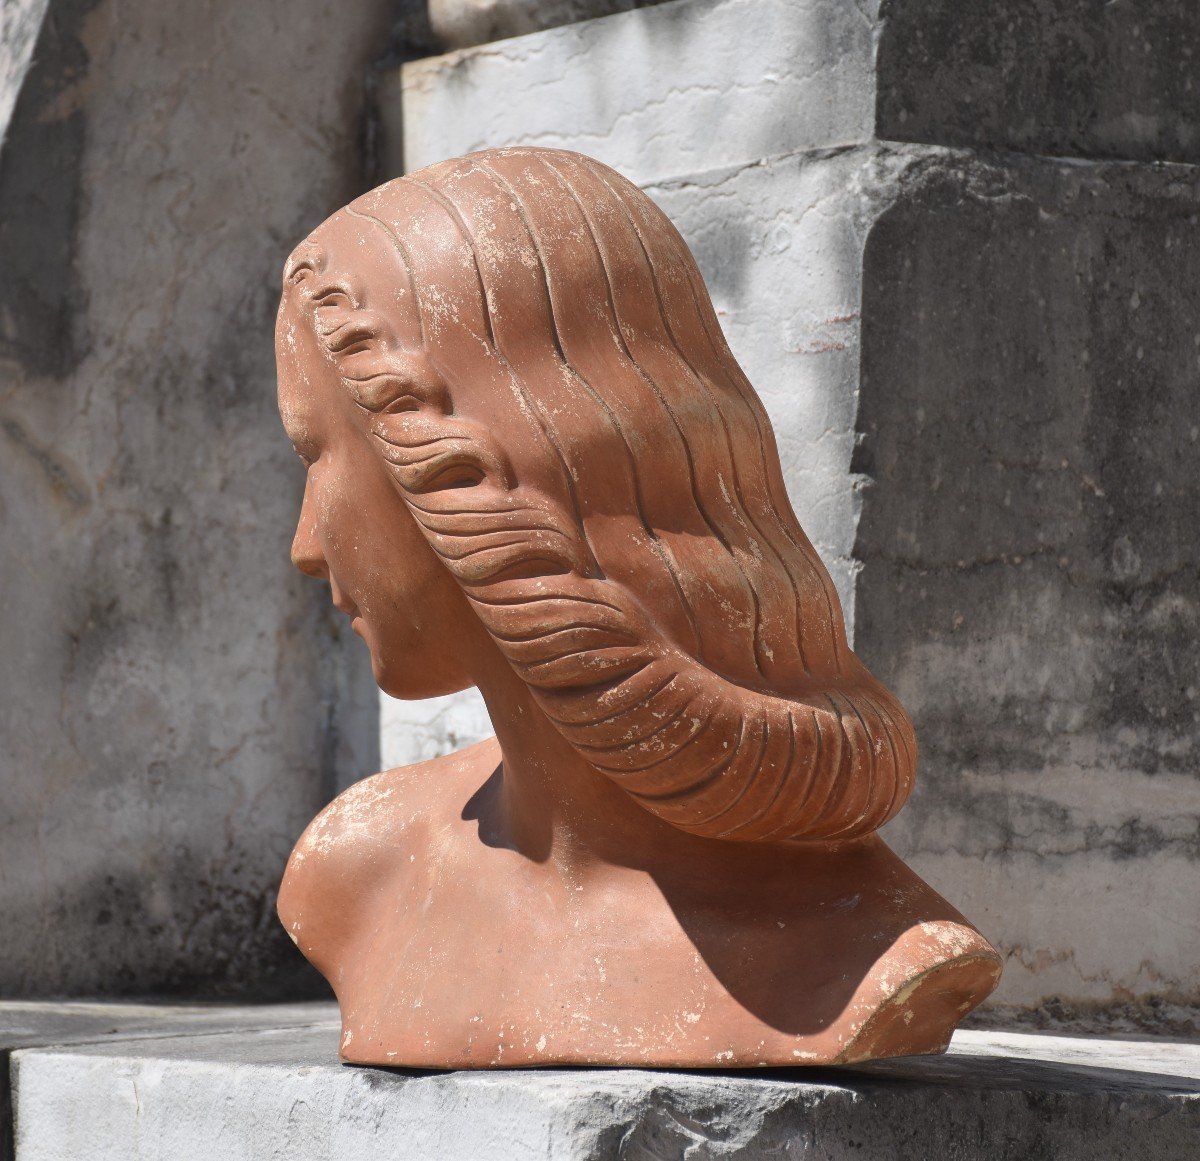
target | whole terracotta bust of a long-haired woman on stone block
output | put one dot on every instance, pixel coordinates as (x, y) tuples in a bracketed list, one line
[(533, 466)]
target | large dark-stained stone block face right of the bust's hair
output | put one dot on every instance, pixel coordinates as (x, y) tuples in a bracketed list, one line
[(1030, 424)]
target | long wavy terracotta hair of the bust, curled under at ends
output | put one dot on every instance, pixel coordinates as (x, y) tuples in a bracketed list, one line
[(584, 454)]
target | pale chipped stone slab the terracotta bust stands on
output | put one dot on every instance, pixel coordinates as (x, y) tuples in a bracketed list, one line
[(279, 1094)]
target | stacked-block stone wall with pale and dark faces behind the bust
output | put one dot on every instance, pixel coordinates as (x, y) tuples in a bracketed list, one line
[(983, 369)]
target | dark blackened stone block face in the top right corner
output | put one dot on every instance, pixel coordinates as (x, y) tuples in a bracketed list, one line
[(1084, 79)]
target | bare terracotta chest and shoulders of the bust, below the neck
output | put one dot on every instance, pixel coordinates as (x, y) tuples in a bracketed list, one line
[(447, 952)]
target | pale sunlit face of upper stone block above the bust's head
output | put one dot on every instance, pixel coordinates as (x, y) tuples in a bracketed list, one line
[(662, 93)]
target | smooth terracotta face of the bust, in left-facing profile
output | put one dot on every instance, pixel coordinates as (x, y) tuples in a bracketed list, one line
[(355, 531)]
